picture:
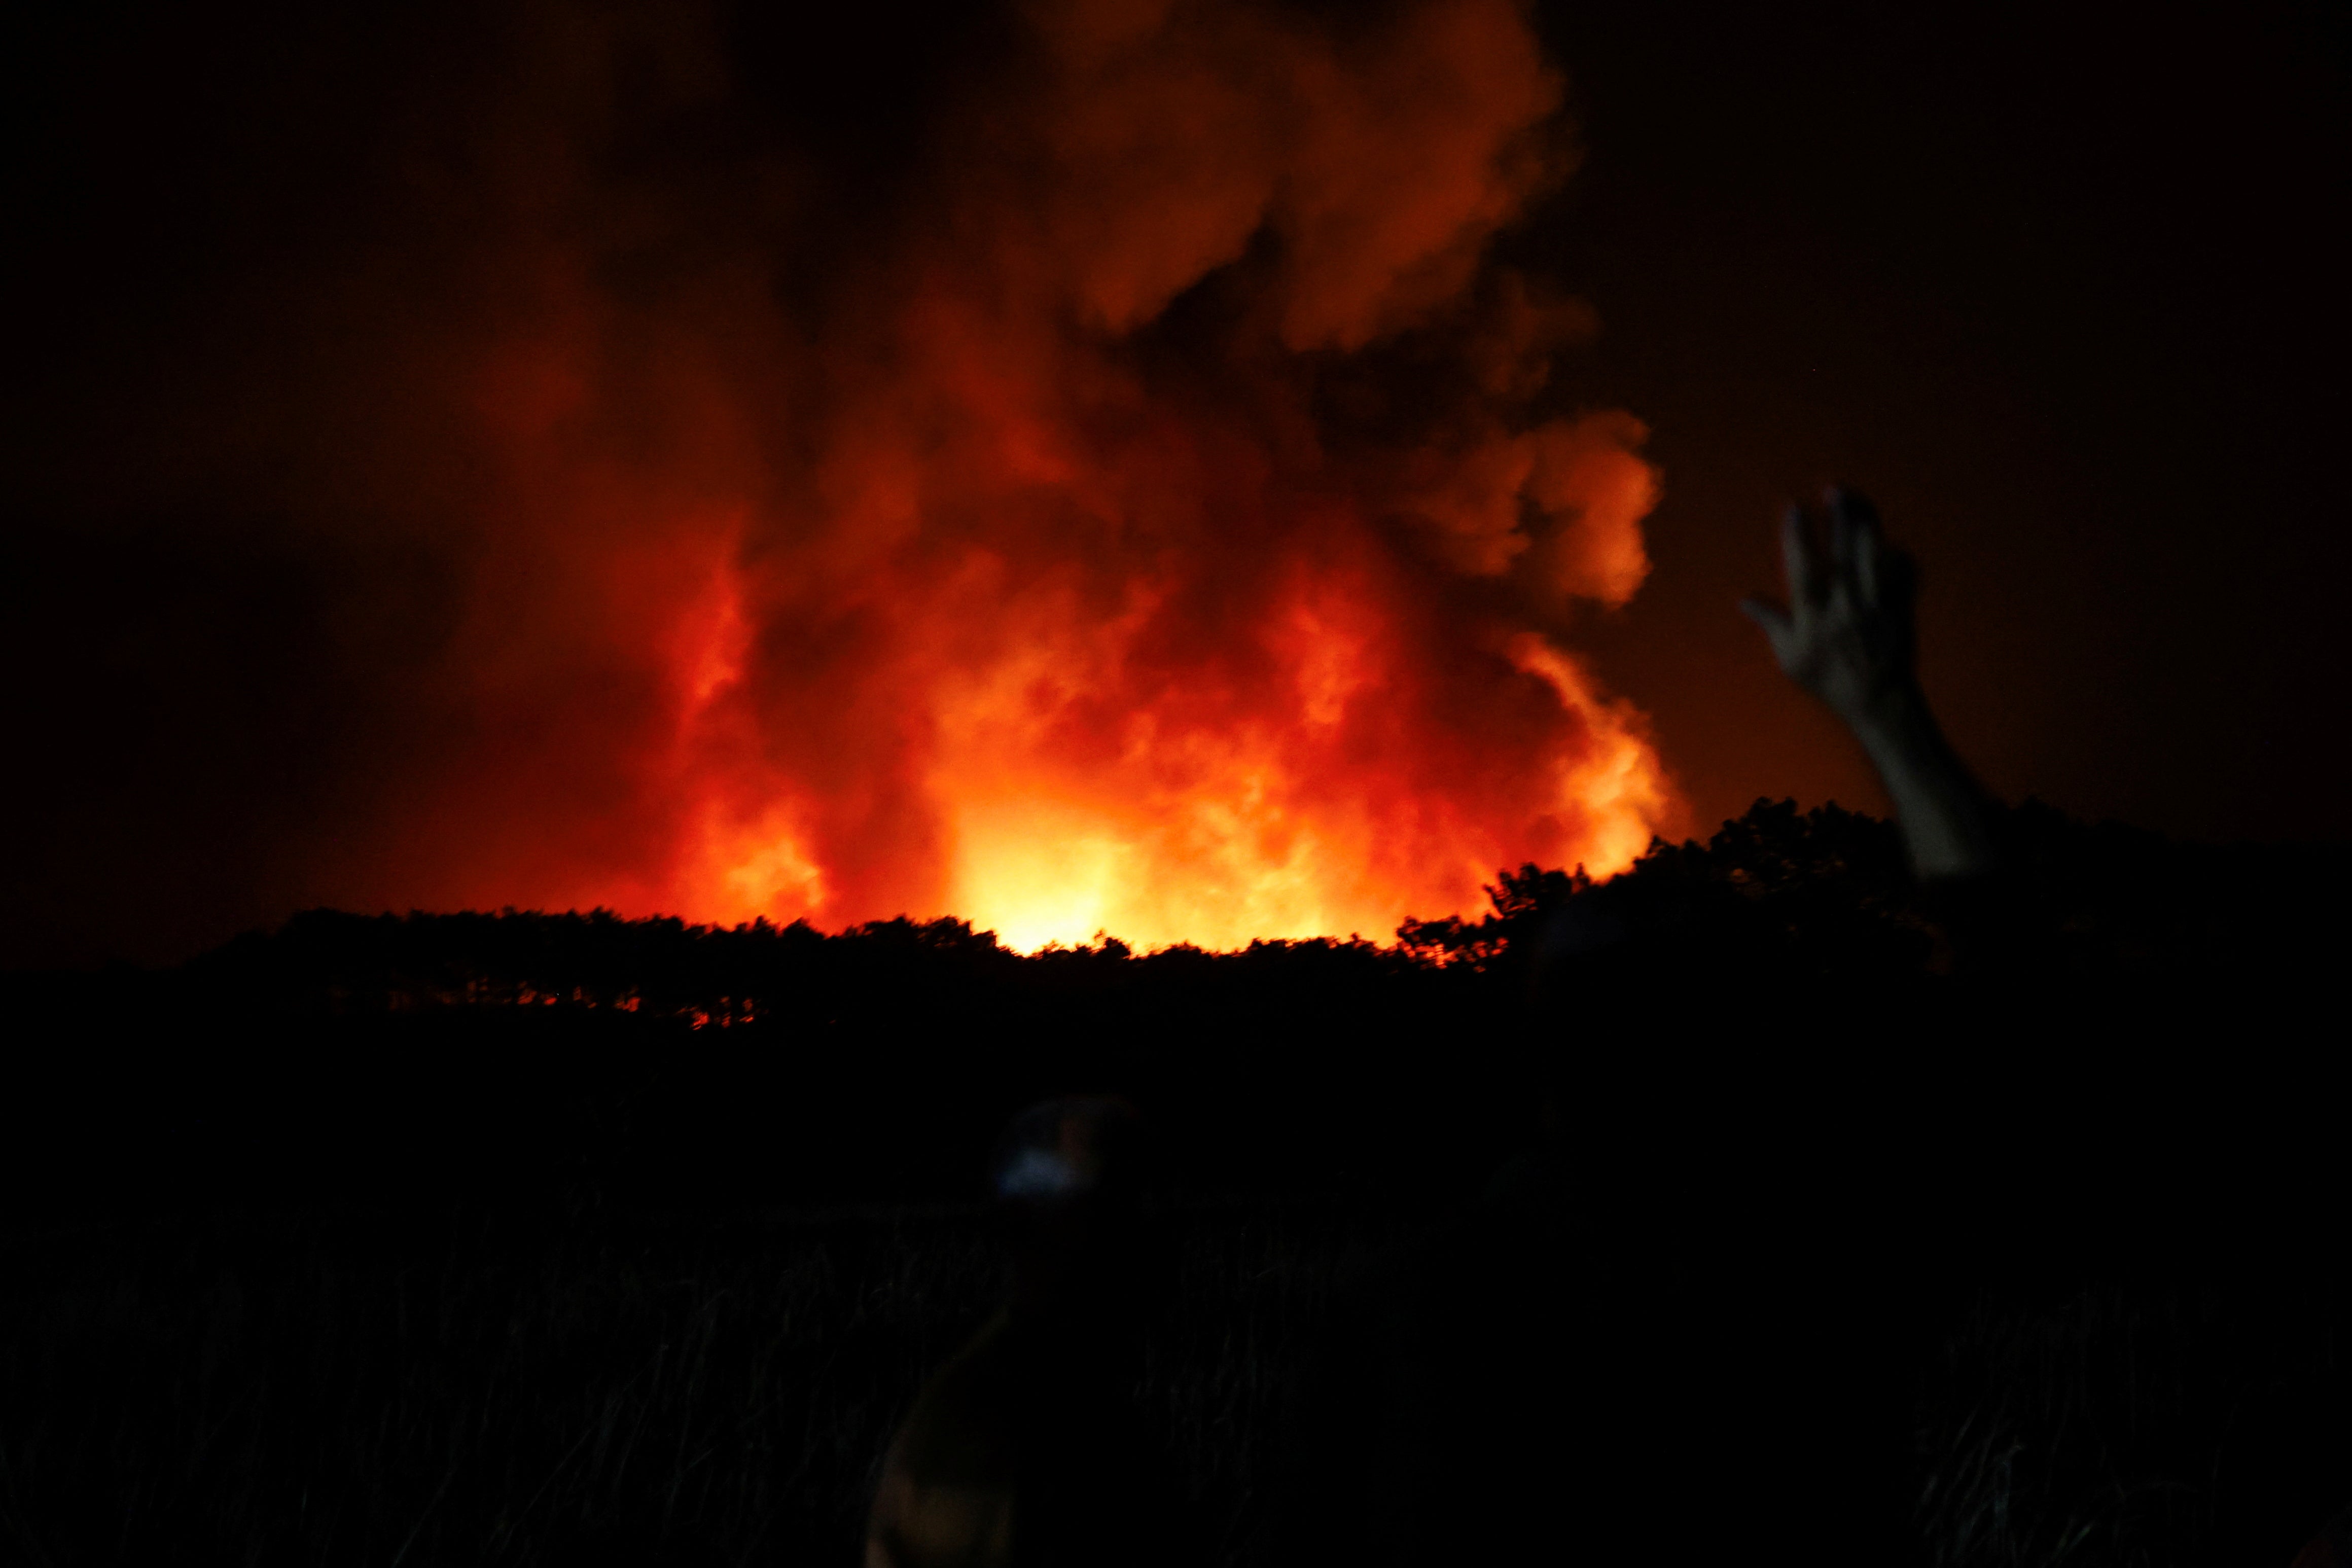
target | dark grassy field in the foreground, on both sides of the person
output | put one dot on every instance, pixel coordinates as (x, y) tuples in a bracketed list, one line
[(664, 1391)]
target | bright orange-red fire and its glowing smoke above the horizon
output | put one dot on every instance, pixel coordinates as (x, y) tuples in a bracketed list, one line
[(1151, 532)]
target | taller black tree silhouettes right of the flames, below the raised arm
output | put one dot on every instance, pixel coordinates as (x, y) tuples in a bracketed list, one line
[(1826, 894)]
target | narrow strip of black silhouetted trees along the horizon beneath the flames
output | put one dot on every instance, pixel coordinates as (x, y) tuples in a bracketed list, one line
[(1786, 892)]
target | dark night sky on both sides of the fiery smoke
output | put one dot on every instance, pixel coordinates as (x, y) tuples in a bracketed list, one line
[(2064, 295)]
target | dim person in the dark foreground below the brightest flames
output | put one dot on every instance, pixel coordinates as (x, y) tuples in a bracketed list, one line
[(1029, 1447)]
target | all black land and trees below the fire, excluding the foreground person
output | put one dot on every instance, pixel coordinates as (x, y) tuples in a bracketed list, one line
[(1862, 1228)]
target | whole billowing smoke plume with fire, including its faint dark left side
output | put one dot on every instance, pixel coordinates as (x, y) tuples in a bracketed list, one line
[(1114, 488)]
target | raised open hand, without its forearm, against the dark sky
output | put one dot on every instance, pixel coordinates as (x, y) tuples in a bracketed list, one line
[(1847, 629)]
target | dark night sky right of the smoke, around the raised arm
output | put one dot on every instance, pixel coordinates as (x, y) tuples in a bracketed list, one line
[(2064, 288)]
